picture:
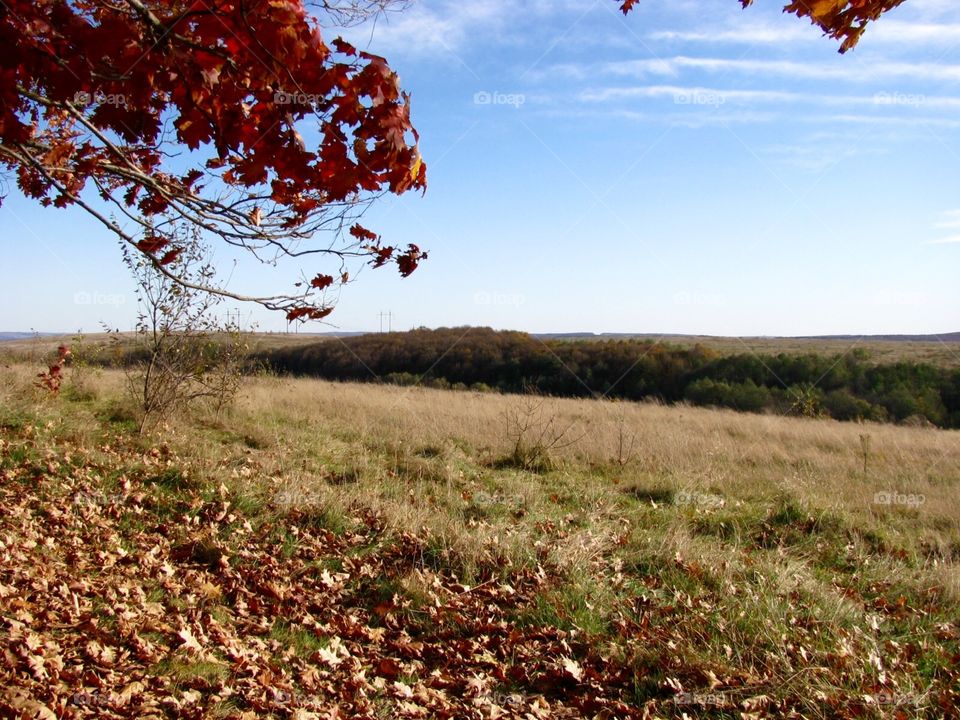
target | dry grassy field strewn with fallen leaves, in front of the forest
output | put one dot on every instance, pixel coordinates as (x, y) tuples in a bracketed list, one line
[(642, 561)]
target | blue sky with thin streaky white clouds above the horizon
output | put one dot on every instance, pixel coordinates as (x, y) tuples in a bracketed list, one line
[(692, 168)]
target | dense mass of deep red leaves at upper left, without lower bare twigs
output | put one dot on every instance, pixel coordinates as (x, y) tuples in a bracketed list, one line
[(87, 88)]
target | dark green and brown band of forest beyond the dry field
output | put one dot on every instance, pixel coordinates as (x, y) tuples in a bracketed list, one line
[(845, 387)]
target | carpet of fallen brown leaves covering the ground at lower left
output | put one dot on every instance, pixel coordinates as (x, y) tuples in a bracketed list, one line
[(120, 598)]
